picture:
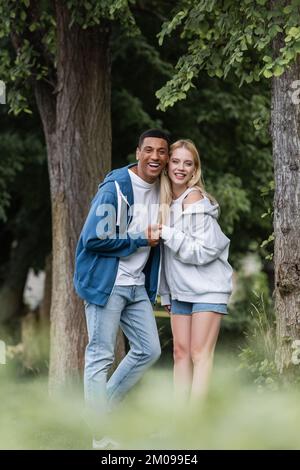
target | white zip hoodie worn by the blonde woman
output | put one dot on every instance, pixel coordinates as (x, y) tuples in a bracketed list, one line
[(194, 255)]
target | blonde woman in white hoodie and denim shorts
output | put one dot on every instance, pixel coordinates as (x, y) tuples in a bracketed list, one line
[(195, 276)]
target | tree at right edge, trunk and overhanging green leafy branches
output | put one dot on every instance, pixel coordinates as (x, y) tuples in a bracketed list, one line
[(254, 40)]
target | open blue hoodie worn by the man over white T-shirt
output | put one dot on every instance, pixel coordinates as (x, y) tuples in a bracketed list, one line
[(99, 250)]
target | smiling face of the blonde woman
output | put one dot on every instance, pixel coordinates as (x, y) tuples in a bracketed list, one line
[(181, 166)]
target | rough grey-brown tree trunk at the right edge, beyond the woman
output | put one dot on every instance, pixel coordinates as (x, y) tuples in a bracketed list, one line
[(286, 151)]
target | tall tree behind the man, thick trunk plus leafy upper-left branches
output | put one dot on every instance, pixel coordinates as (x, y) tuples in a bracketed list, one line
[(62, 51)]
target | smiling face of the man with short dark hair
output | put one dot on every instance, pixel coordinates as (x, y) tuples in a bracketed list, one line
[(152, 158)]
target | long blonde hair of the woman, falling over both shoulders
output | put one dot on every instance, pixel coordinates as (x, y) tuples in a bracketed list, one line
[(196, 180)]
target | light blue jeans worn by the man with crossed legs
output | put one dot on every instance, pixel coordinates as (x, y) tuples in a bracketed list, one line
[(128, 307)]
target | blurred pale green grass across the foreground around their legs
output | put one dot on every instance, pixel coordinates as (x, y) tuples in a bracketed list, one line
[(235, 416)]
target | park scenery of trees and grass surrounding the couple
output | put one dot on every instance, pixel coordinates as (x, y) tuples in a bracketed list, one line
[(83, 80)]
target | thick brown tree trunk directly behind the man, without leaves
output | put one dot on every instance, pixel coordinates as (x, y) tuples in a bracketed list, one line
[(77, 127)]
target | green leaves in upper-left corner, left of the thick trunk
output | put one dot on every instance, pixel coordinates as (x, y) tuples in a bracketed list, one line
[(31, 53)]
